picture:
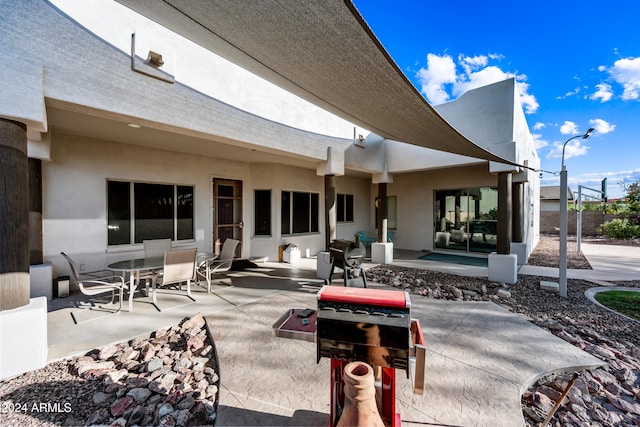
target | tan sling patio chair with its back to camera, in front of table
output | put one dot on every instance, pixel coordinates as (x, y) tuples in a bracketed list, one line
[(179, 267)]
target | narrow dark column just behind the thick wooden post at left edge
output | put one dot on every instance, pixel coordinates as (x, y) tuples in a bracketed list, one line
[(35, 212)]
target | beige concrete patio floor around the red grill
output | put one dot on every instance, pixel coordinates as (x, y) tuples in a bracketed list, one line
[(480, 357)]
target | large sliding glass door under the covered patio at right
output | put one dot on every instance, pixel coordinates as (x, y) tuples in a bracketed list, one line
[(466, 219)]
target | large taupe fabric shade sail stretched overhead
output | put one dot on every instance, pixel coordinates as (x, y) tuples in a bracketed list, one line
[(322, 51)]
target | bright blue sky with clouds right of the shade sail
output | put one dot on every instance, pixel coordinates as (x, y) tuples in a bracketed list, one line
[(577, 65)]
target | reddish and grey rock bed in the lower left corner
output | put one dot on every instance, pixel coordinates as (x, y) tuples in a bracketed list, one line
[(167, 379)]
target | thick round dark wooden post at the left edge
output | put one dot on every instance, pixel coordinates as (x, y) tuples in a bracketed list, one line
[(14, 216)]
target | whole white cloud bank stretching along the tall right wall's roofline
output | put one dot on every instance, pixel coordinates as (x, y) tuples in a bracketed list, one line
[(441, 71)]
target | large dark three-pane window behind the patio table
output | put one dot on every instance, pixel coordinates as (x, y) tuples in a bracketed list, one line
[(140, 211)]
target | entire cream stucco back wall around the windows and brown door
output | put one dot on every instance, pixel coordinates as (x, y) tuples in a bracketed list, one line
[(75, 207)]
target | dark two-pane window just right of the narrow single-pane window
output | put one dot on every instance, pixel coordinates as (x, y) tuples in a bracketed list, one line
[(300, 212)]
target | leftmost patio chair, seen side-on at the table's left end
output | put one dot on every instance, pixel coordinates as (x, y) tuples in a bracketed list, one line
[(93, 283)]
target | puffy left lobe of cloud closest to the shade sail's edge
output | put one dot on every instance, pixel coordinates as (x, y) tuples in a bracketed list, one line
[(440, 71)]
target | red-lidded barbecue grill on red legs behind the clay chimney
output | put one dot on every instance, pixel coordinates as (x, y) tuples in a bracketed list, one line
[(372, 326)]
